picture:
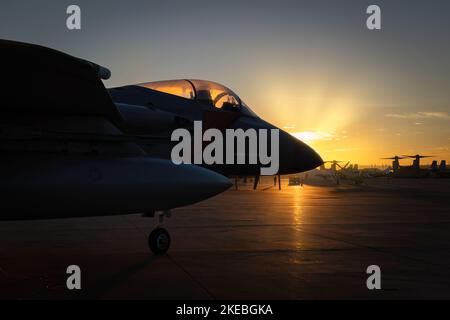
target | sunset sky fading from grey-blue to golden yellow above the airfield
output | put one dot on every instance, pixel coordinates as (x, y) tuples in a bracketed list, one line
[(310, 67)]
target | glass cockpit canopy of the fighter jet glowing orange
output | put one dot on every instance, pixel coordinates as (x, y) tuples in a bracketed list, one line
[(208, 92)]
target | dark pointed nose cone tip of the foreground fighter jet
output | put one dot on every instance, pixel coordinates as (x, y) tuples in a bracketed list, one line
[(296, 156)]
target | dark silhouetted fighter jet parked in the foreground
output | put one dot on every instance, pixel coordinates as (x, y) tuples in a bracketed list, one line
[(72, 148)]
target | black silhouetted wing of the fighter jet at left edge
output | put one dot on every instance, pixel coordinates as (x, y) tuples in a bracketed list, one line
[(41, 80)]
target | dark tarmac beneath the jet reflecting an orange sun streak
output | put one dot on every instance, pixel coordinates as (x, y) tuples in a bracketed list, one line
[(303, 242)]
